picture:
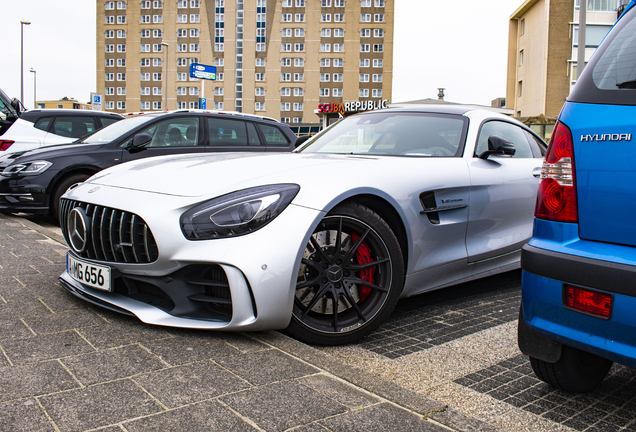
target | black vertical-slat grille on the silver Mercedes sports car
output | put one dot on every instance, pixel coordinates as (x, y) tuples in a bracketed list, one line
[(114, 235)]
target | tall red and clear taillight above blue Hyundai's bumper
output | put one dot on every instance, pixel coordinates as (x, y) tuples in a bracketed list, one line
[(556, 199)]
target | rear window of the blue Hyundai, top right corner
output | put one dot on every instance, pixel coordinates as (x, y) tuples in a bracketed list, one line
[(610, 76)]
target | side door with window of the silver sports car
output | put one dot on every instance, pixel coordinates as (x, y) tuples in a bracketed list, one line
[(503, 193)]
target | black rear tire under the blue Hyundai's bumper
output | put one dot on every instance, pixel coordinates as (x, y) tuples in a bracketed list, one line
[(576, 371)]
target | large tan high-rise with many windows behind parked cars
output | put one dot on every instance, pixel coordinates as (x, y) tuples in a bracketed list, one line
[(278, 58)]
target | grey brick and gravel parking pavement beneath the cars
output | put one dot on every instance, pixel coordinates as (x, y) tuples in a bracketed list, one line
[(445, 360)]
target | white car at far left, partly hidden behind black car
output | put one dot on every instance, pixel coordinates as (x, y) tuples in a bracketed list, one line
[(41, 127)]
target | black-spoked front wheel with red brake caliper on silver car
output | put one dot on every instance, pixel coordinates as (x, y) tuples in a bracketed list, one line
[(350, 278)]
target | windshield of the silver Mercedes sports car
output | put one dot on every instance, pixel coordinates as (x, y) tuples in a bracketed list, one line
[(394, 134)]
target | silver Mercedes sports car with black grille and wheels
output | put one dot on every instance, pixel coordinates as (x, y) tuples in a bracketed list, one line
[(321, 242)]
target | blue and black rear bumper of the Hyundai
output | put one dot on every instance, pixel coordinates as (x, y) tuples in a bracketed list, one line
[(545, 272)]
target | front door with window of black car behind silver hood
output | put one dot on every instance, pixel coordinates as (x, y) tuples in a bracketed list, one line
[(176, 135)]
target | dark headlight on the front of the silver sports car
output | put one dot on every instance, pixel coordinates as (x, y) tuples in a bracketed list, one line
[(237, 213)]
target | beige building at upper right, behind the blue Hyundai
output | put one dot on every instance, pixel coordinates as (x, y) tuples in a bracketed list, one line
[(543, 50)]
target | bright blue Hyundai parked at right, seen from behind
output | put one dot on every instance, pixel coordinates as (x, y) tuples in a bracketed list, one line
[(578, 309)]
